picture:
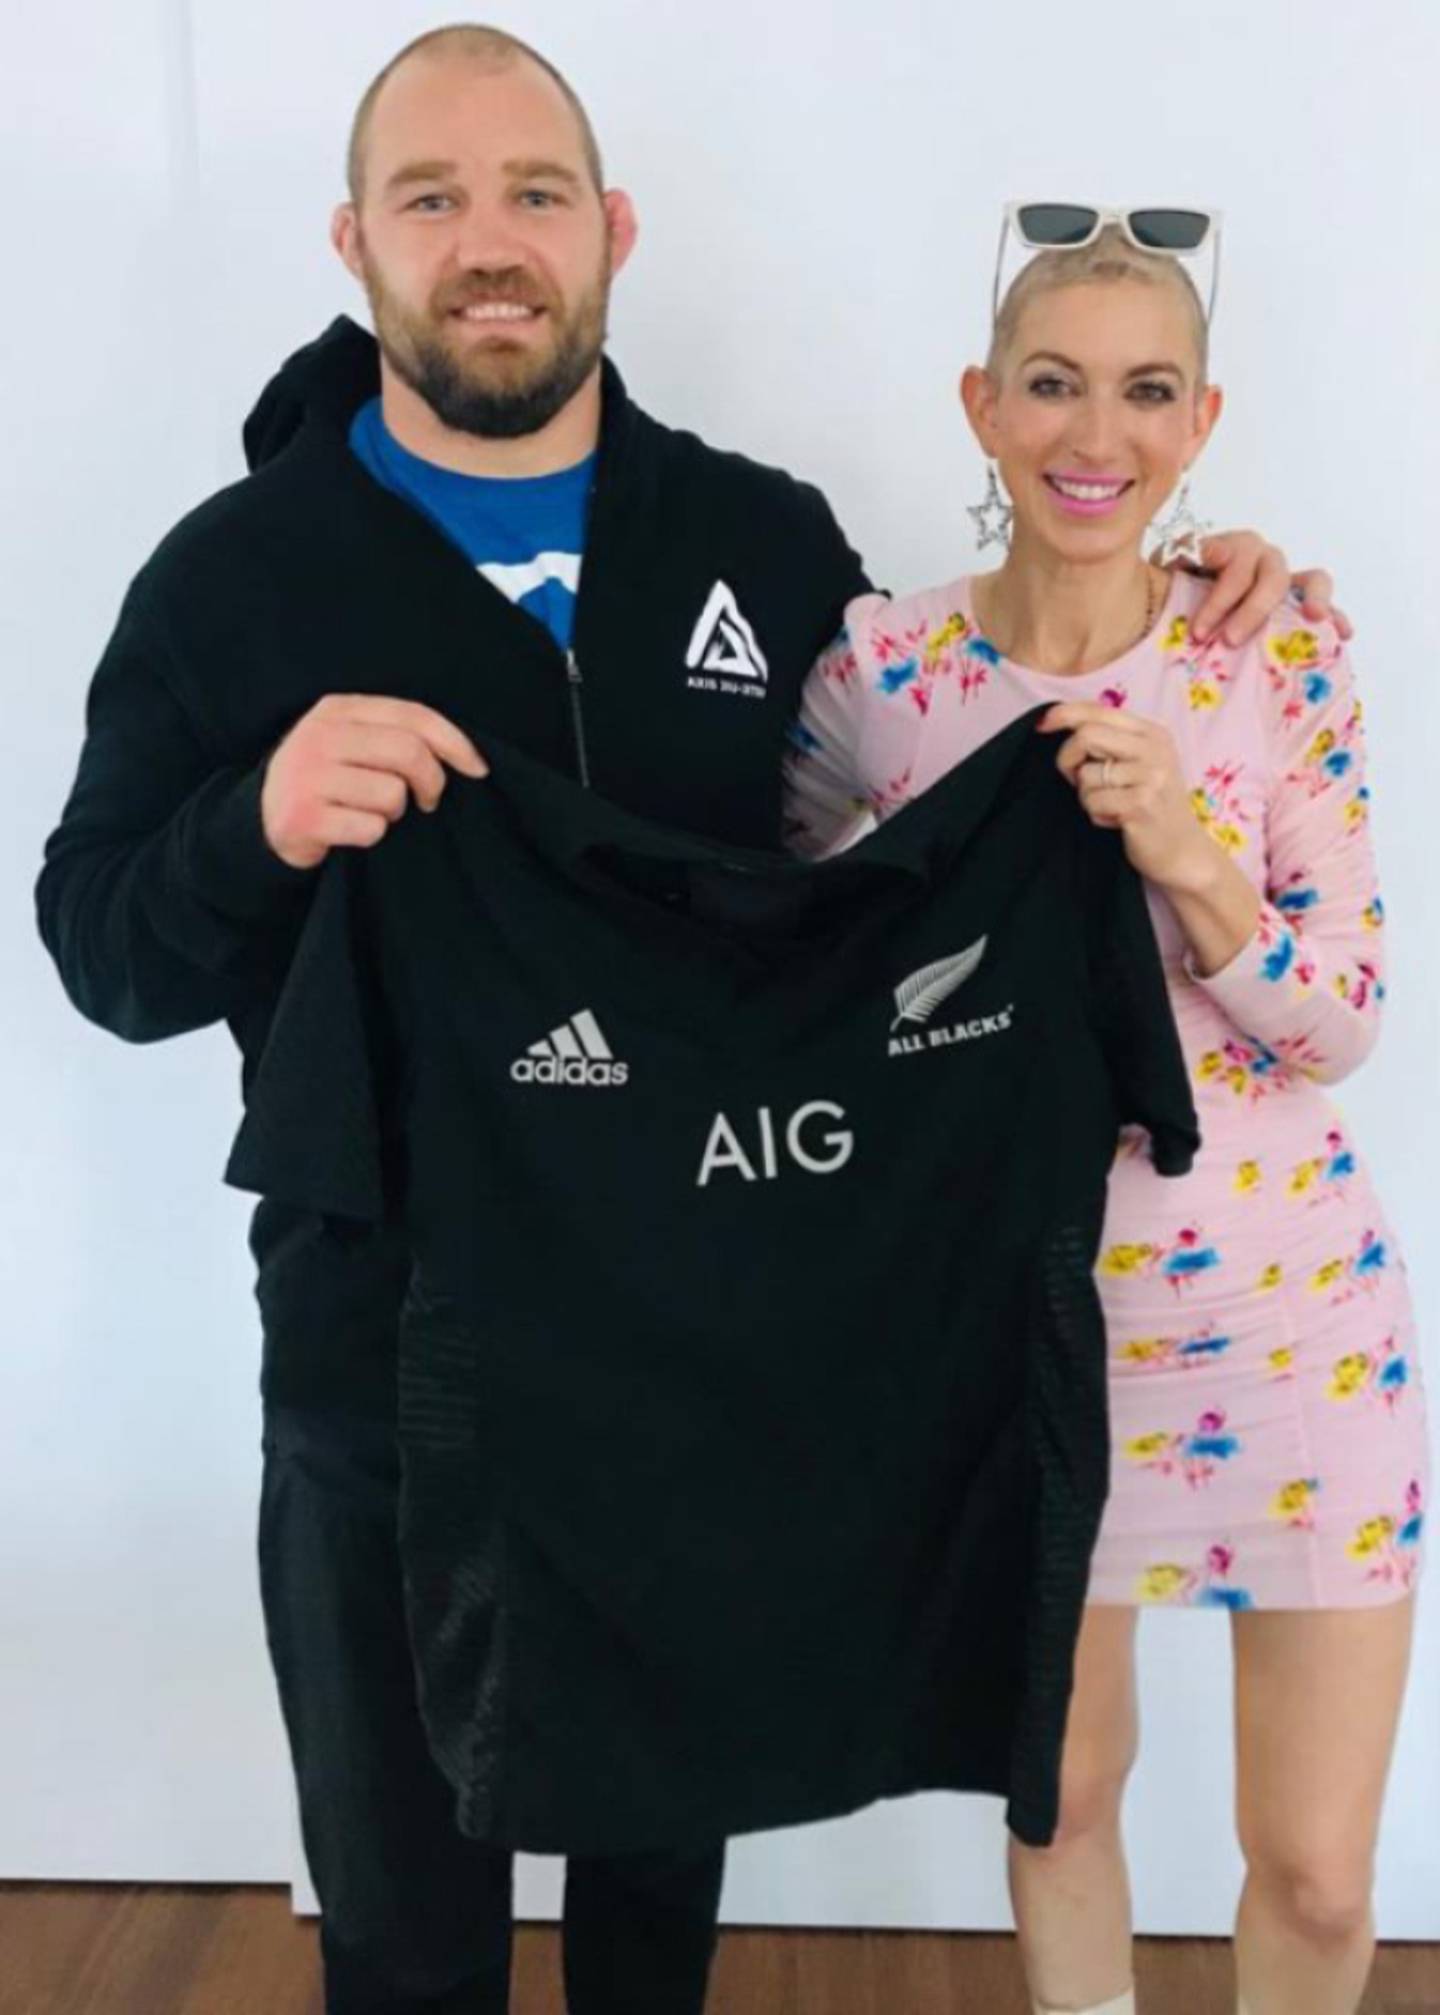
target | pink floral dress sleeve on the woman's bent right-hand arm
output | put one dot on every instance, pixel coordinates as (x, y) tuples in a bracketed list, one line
[(1310, 982)]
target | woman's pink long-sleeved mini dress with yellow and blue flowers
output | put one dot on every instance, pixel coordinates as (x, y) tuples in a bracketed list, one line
[(1266, 1401)]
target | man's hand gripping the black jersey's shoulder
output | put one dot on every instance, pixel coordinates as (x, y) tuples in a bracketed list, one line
[(349, 769)]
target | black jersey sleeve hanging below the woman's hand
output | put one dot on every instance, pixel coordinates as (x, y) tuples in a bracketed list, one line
[(1131, 1004)]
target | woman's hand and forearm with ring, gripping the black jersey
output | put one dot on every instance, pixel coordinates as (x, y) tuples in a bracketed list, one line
[(1129, 779)]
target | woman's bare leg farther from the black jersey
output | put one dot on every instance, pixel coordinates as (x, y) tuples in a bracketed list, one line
[(1316, 1706)]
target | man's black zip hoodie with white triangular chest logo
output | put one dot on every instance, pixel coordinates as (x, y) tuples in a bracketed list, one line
[(160, 898)]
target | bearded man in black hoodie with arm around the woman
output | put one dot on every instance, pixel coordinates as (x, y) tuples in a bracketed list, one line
[(476, 525)]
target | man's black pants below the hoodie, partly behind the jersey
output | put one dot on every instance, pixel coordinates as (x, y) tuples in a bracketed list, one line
[(416, 1917)]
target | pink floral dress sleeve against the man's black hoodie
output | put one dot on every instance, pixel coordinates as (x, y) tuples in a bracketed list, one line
[(825, 801)]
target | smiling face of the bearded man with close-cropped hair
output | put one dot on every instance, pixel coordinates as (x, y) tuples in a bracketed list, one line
[(484, 245)]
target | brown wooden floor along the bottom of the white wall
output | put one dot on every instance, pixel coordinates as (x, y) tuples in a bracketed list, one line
[(114, 1950)]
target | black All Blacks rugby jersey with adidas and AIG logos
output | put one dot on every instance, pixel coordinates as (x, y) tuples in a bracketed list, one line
[(752, 1389)]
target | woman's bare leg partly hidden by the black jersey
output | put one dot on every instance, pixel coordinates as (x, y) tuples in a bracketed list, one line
[(1072, 1899)]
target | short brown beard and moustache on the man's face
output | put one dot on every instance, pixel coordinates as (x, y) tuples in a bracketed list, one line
[(496, 396)]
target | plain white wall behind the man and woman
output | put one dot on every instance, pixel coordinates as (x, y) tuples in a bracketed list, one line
[(819, 192)]
